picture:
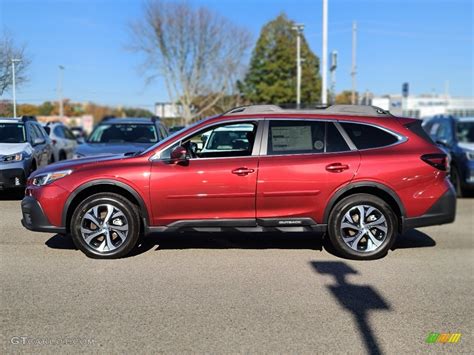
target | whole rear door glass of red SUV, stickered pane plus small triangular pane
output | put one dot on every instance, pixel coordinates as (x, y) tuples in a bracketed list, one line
[(304, 137)]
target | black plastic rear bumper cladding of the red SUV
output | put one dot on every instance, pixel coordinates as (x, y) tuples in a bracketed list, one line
[(442, 212)]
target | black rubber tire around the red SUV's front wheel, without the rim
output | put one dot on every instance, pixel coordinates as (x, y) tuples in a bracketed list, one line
[(126, 207)]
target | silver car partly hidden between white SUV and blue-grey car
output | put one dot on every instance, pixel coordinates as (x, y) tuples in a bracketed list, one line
[(63, 140)]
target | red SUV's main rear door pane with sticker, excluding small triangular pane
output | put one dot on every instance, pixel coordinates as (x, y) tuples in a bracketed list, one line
[(296, 137)]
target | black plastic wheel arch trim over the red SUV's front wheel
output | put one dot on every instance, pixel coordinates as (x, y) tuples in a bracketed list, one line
[(97, 186)]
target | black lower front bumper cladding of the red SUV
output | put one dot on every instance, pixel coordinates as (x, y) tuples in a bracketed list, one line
[(34, 218)]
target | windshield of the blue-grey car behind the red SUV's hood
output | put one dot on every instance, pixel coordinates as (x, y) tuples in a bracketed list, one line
[(124, 133)]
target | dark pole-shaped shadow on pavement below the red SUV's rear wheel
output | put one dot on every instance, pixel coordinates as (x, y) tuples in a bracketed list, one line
[(358, 299)]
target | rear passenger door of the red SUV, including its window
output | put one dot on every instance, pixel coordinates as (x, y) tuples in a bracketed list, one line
[(302, 163)]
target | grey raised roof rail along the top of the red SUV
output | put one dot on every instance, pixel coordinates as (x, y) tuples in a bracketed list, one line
[(355, 110)]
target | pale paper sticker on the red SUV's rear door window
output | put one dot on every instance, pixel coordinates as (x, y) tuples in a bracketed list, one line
[(292, 138)]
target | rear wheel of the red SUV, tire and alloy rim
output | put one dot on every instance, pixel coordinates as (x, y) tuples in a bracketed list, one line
[(362, 226)]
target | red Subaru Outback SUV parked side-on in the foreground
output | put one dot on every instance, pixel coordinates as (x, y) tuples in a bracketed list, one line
[(357, 173)]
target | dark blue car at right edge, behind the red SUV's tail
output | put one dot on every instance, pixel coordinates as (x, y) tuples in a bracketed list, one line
[(456, 137)]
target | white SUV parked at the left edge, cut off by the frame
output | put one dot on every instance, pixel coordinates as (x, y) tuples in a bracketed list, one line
[(24, 147)]
